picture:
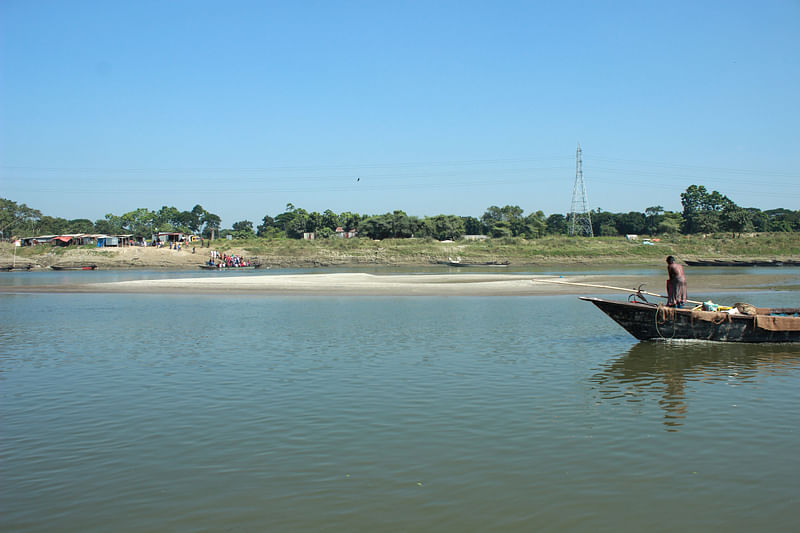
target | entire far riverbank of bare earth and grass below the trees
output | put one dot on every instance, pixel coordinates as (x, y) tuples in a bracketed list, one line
[(517, 253)]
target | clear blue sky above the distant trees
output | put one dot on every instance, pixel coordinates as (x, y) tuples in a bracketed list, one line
[(439, 107)]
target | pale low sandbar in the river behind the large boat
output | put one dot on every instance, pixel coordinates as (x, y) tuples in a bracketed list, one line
[(362, 284)]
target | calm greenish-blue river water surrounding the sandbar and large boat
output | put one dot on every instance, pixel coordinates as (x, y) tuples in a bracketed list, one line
[(124, 412)]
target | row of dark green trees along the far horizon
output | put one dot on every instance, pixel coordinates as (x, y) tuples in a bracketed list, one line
[(703, 212)]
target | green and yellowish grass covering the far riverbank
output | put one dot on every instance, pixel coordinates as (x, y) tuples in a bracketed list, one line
[(516, 250)]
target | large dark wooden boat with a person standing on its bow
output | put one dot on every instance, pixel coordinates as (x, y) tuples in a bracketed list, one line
[(648, 321)]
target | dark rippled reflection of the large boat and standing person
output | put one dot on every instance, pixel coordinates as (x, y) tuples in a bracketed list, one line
[(668, 370)]
